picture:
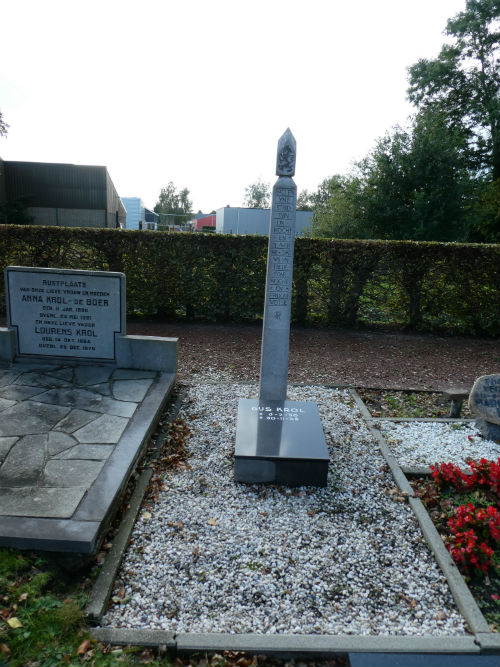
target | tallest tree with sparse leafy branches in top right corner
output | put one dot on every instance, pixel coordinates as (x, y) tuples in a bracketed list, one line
[(463, 82)]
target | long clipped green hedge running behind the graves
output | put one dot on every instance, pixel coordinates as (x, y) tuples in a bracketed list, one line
[(212, 277)]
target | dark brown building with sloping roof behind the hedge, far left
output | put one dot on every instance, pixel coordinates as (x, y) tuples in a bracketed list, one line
[(66, 195)]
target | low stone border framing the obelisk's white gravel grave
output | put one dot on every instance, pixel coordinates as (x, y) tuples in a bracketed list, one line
[(479, 646)]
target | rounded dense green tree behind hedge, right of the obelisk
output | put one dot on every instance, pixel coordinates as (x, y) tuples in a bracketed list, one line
[(412, 185)]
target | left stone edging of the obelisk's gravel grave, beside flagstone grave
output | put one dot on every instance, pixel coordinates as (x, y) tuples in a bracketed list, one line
[(103, 586)]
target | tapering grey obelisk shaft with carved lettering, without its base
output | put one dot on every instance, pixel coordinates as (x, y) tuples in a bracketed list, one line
[(278, 298)]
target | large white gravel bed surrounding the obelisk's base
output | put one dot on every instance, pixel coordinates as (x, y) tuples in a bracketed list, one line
[(215, 556)]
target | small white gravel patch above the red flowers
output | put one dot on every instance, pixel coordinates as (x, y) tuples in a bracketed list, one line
[(423, 443)]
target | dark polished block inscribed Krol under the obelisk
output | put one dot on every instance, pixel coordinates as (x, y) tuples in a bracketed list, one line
[(280, 442)]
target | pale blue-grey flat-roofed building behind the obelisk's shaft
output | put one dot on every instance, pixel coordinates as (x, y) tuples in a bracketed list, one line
[(231, 220)]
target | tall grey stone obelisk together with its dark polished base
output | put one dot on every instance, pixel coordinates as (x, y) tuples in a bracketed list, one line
[(277, 440)]
